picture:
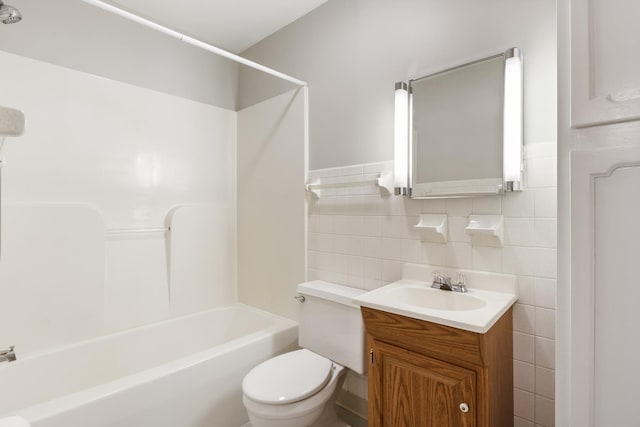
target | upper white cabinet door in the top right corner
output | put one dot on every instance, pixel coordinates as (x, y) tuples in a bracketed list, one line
[(605, 67)]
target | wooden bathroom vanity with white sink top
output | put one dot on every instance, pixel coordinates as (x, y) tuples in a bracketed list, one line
[(440, 358)]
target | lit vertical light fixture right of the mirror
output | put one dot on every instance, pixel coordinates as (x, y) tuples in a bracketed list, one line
[(513, 121)]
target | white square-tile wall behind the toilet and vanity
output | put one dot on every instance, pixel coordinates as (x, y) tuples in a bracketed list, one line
[(361, 236)]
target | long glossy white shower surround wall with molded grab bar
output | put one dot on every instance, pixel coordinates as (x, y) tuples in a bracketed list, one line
[(118, 207)]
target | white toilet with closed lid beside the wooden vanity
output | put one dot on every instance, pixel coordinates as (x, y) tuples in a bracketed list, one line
[(299, 388)]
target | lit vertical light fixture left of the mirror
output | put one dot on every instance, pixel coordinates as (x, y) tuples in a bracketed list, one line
[(401, 140)]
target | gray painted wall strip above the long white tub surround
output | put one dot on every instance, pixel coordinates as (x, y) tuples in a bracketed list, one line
[(75, 35)]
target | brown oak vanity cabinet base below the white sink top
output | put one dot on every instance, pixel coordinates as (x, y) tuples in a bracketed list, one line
[(422, 374)]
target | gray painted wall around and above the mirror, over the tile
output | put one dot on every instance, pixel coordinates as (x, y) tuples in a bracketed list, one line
[(351, 52)]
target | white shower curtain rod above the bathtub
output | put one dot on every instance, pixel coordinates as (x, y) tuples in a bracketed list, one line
[(195, 42)]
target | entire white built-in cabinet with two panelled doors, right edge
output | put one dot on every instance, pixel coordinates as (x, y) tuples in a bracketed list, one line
[(599, 167)]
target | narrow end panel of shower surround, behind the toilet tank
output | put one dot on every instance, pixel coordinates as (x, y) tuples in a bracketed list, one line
[(271, 209)]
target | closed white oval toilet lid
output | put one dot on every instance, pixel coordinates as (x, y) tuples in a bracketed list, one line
[(287, 378)]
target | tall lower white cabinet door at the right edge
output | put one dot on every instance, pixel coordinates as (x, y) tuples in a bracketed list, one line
[(605, 286)]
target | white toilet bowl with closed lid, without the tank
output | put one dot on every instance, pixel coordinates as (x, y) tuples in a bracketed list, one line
[(292, 390)]
